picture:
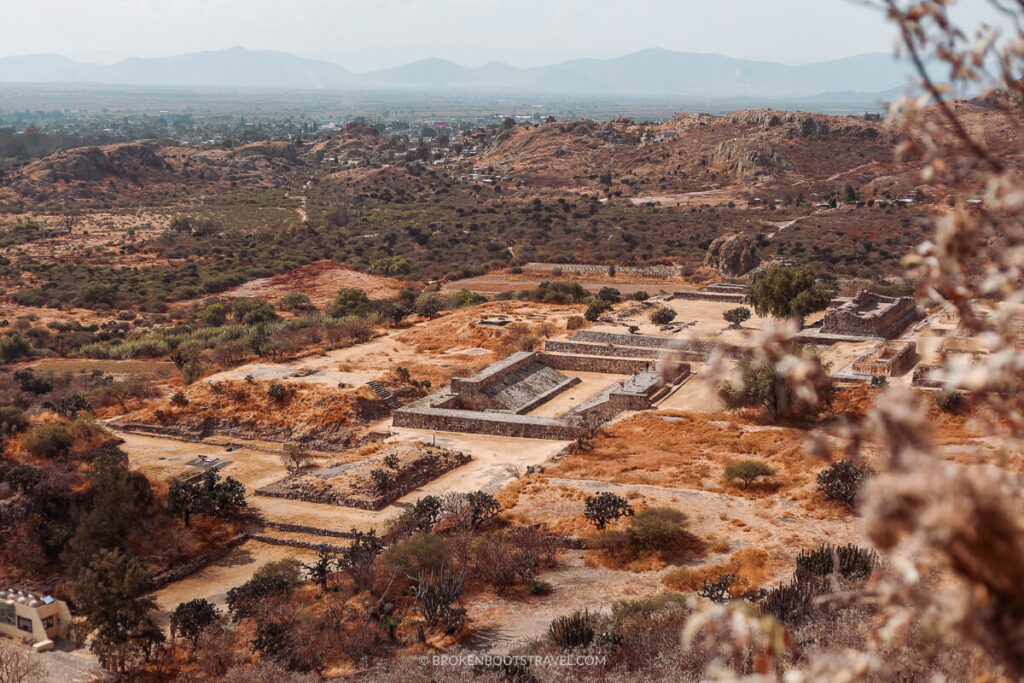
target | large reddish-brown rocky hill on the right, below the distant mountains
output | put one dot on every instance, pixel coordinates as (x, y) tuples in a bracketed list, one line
[(691, 151)]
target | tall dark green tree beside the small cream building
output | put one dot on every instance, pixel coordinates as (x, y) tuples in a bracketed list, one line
[(110, 593)]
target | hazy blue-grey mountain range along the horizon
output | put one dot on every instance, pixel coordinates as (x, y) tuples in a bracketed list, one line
[(654, 72)]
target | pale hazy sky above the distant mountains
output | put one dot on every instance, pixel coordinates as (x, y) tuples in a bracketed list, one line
[(372, 34)]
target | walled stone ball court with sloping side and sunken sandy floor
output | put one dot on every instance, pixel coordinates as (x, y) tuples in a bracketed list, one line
[(497, 400)]
